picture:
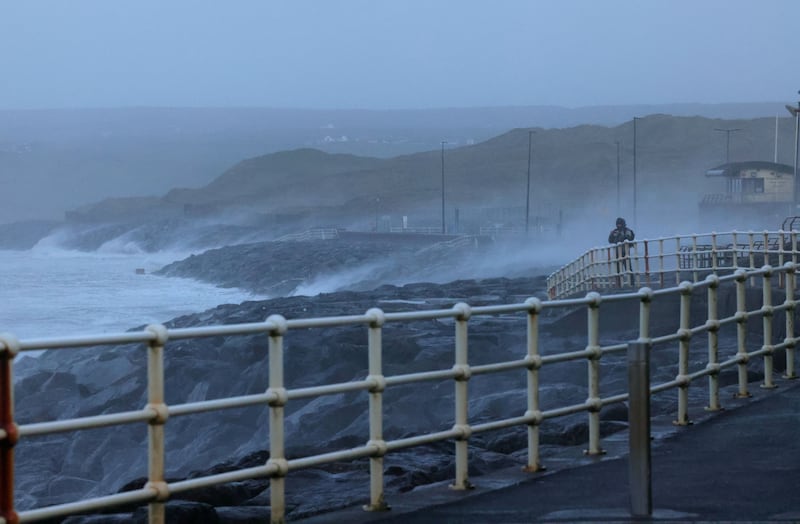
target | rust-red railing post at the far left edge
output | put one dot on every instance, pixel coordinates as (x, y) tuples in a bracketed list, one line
[(9, 434)]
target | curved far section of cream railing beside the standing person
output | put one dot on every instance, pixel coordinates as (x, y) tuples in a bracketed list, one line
[(664, 262)]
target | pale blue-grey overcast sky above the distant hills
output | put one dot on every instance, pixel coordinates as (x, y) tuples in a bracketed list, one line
[(396, 53)]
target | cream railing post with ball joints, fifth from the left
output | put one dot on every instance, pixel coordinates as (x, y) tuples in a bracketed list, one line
[(461, 397)]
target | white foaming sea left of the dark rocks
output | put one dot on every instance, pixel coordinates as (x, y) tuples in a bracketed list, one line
[(47, 292)]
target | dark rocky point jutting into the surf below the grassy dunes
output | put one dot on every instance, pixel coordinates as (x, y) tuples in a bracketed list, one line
[(351, 262)]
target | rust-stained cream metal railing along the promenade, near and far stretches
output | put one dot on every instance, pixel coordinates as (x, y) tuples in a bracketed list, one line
[(532, 361)]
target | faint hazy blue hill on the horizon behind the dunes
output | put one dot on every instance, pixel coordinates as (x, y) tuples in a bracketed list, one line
[(52, 161)]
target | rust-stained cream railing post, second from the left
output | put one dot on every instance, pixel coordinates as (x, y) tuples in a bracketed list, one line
[(155, 431)]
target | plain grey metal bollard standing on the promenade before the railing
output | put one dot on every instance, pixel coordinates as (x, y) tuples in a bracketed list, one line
[(639, 468)]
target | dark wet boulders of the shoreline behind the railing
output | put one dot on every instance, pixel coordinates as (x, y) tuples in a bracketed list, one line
[(84, 382)]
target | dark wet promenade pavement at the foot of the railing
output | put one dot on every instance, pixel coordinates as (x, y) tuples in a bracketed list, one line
[(741, 464)]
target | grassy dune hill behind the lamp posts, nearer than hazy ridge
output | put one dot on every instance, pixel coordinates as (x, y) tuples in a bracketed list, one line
[(573, 175)]
